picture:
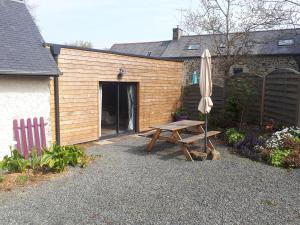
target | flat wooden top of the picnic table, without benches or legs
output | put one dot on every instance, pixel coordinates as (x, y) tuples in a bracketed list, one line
[(179, 125)]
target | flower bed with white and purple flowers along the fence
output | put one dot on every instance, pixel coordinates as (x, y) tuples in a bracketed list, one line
[(278, 148)]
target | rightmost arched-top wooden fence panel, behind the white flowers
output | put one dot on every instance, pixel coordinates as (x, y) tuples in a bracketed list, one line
[(282, 97)]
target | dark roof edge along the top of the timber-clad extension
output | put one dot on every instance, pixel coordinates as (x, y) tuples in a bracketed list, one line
[(114, 52)]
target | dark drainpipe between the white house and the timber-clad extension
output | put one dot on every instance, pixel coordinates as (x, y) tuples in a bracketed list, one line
[(55, 50)]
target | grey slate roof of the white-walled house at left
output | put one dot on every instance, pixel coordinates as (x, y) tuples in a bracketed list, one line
[(22, 50)]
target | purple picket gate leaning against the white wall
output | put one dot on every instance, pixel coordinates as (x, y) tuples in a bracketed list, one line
[(30, 135)]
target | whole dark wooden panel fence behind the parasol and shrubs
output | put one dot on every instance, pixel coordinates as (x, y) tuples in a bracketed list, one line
[(276, 96)]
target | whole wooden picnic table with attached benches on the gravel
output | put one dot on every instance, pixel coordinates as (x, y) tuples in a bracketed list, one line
[(175, 129)]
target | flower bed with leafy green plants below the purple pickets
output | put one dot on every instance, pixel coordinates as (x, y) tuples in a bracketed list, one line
[(16, 171)]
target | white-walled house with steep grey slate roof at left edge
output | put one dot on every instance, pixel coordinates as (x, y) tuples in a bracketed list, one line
[(26, 68)]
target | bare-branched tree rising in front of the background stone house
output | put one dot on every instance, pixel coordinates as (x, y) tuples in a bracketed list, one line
[(231, 22)]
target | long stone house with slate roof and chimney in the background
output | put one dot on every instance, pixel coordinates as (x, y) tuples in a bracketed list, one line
[(271, 50)]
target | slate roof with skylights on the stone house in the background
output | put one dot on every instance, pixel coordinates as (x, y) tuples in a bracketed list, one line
[(264, 43)]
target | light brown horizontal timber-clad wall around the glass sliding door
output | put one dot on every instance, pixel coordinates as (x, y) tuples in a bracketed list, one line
[(159, 90)]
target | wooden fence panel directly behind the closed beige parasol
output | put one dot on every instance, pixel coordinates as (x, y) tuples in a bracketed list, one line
[(191, 98)]
